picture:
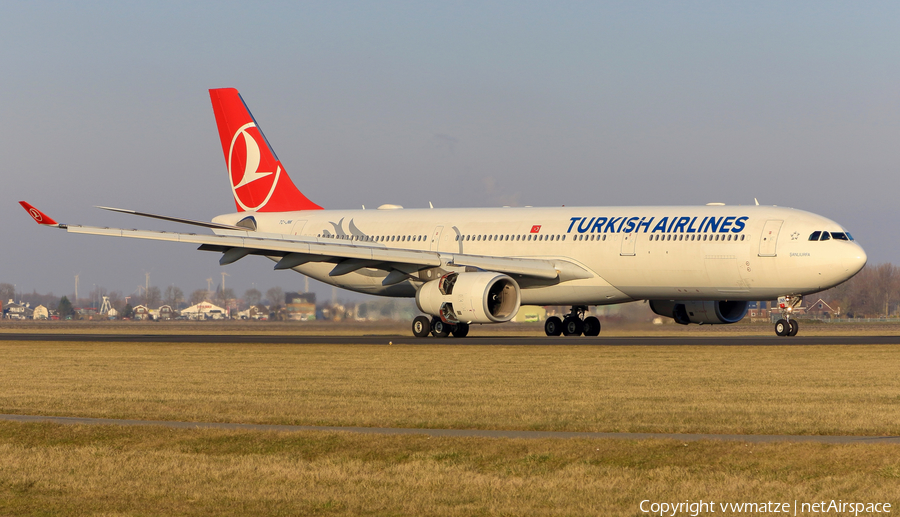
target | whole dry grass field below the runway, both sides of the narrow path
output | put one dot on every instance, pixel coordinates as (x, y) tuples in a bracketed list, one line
[(49, 469)]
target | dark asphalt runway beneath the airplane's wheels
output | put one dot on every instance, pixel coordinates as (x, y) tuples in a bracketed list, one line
[(396, 339)]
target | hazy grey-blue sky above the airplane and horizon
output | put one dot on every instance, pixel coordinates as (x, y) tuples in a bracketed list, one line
[(462, 104)]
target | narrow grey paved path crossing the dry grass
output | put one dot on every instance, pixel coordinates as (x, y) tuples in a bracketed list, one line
[(458, 433)]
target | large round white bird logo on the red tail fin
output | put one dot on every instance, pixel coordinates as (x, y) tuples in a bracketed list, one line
[(245, 180)]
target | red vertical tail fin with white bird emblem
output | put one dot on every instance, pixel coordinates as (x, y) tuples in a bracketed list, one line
[(258, 180)]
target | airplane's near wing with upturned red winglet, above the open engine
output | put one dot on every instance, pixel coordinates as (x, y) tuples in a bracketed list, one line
[(347, 257)]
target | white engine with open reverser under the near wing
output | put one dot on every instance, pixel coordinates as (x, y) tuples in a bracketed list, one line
[(471, 298)]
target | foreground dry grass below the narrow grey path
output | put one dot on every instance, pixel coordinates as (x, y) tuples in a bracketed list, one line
[(48, 469)]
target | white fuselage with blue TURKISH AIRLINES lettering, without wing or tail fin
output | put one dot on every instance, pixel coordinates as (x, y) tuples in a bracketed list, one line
[(631, 253)]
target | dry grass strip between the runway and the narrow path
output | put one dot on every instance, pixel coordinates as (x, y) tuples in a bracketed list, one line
[(754, 390)]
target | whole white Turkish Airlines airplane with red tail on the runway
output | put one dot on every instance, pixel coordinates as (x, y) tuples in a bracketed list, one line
[(464, 266)]
